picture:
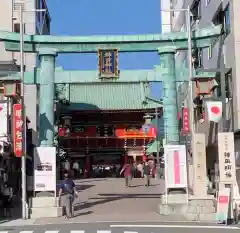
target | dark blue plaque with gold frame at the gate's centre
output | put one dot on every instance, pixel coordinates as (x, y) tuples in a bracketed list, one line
[(108, 63)]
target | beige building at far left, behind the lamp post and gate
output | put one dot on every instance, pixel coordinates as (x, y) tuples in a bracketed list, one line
[(34, 23)]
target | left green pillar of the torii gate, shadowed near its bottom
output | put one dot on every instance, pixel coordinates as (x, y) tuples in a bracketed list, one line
[(46, 108)]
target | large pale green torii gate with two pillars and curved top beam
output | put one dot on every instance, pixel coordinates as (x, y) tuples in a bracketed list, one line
[(48, 48)]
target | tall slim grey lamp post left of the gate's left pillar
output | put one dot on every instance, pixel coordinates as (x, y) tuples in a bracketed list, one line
[(23, 158)]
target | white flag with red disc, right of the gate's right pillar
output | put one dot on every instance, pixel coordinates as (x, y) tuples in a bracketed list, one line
[(214, 110)]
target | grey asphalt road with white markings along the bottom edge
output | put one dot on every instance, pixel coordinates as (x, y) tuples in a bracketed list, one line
[(115, 227)]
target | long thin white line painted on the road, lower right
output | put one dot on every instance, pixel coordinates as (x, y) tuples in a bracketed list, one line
[(177, 226)]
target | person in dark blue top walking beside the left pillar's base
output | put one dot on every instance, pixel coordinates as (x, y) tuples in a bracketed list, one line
[(68, 188)]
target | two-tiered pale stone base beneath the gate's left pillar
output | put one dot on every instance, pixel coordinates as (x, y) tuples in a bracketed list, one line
[(45, 207)]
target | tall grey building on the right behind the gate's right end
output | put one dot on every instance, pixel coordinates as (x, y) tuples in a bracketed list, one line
[(205, 13)]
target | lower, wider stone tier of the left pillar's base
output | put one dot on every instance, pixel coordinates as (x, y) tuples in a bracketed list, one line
[(42, 212)]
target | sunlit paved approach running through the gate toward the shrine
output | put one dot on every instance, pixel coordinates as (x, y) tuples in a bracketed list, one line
[(109, 200)]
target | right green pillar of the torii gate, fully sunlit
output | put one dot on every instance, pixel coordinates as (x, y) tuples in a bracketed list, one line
[(170, 109)]
